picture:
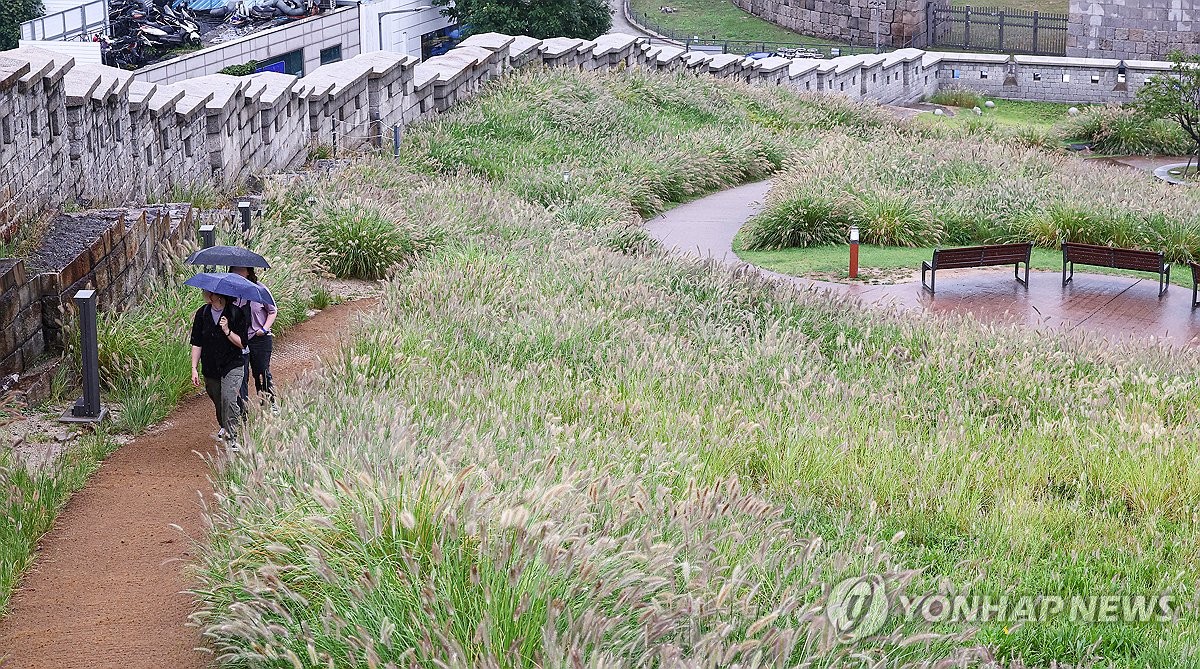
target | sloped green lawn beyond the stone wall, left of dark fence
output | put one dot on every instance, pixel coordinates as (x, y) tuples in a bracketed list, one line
[(719, 20)]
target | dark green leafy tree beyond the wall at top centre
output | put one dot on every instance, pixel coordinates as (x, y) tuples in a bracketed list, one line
[(537, 19)]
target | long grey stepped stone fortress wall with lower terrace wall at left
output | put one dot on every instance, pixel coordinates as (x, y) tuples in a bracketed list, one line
[(91, 136)]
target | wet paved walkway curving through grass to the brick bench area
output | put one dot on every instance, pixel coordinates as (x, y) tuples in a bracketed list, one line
[(1117, 308)]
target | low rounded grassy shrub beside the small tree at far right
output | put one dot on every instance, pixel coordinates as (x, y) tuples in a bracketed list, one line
[(1121, 131)]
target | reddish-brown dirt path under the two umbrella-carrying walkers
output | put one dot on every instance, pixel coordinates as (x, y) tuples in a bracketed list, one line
[(107, 587)]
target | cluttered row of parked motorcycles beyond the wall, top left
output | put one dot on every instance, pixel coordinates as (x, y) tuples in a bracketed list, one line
[(142, 32)]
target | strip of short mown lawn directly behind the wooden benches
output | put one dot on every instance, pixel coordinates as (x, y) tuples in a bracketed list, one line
[(831, 262)]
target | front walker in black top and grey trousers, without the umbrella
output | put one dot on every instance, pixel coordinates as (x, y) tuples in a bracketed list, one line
[(219, 334)]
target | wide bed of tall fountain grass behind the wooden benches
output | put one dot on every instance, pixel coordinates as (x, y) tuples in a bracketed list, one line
[(938, 190)]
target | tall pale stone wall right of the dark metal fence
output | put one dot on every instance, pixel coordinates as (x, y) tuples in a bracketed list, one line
[(1147, 29)]
